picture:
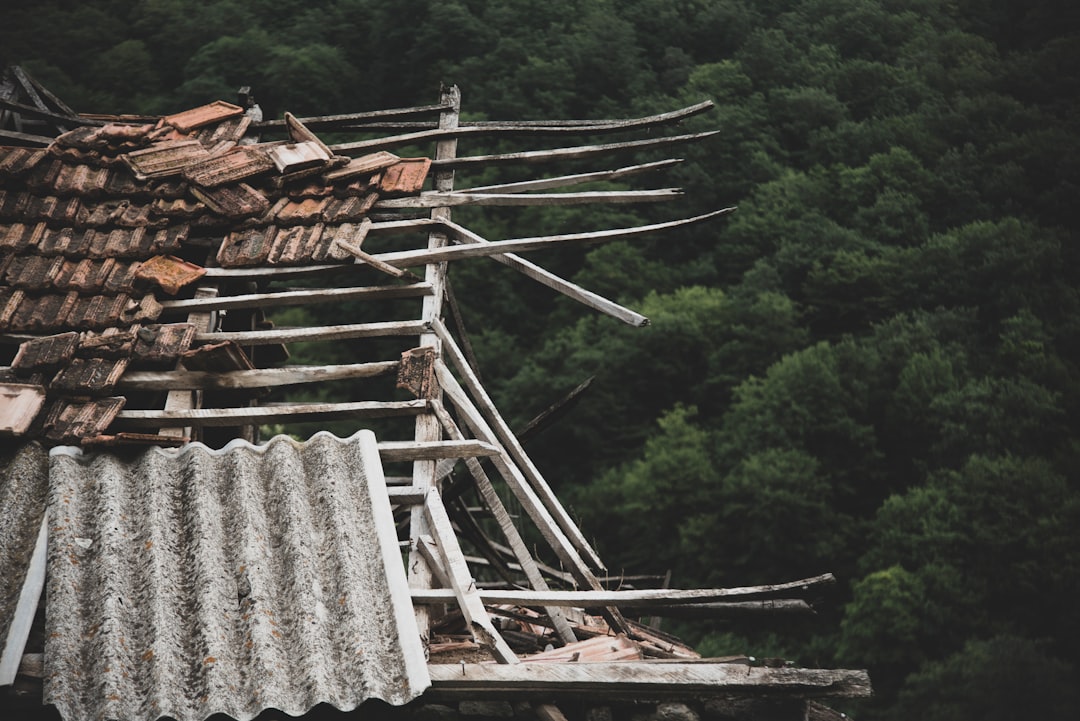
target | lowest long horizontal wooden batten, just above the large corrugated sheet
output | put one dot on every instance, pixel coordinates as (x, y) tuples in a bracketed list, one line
[(286, 413)]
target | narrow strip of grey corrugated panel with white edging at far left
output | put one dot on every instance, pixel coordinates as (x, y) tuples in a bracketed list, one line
[(24, 483)]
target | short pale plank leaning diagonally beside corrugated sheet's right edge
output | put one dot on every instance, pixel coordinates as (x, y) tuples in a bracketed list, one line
[(463, 586)]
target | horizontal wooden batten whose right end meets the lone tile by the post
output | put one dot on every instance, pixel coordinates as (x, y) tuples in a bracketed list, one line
[(164, 380)]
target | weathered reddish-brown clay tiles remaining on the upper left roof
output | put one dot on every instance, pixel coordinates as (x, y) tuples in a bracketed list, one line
[(107, 222)]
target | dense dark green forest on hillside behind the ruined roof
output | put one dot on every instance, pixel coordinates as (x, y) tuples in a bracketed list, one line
[(872, 369)]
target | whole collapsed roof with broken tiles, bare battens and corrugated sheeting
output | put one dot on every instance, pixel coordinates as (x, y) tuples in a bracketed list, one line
[(141, 263)]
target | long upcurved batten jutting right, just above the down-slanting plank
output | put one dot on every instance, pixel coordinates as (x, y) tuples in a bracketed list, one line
[(408, 259)]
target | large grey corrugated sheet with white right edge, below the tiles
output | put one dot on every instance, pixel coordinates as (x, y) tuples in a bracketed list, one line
[(195, 582)]
